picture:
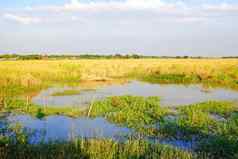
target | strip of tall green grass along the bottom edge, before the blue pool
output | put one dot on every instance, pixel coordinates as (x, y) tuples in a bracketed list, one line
[(92, 149)]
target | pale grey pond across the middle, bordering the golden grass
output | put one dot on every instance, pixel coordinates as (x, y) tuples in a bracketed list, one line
[(171, 94)]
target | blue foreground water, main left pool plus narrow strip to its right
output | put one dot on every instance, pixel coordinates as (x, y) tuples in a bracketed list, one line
[(62, 128)]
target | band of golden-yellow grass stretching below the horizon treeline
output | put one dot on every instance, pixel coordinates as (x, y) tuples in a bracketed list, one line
[(36, 73)]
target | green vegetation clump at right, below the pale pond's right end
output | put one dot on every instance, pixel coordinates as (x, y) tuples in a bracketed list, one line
[(198, 118)]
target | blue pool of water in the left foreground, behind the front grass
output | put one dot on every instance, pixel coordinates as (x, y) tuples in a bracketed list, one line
[(65, 128)]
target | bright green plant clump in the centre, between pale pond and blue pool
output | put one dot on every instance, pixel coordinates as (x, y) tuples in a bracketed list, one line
[(131, 111)]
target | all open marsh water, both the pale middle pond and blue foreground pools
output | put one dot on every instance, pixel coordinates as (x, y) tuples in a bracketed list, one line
[(65, 128)]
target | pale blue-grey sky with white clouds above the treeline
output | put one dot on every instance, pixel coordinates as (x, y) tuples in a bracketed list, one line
[(147, 27)]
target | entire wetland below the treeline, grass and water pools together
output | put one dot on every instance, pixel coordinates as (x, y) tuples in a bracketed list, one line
[(119, 108)]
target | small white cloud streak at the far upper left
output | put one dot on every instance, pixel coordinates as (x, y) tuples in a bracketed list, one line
[(22, 19)]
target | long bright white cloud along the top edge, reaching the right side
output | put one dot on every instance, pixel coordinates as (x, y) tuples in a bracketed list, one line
[(134, 5)]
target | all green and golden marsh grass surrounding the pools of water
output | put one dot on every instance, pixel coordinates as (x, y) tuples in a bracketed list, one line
[(214, 124)]
